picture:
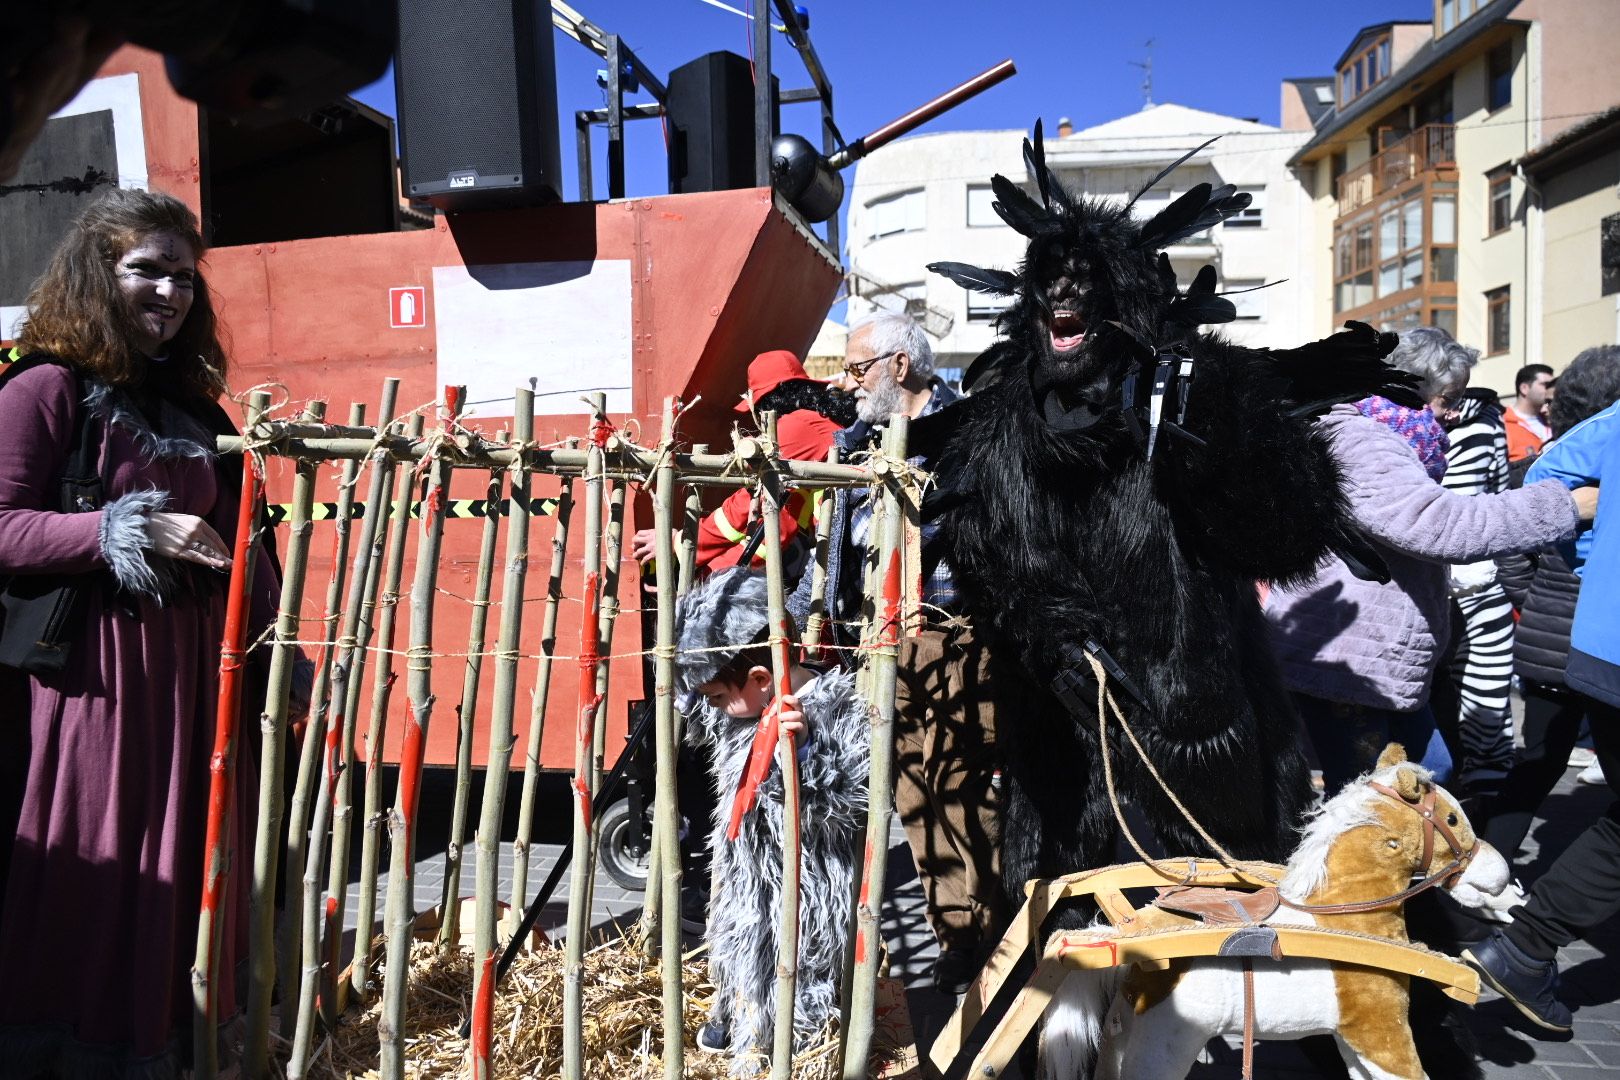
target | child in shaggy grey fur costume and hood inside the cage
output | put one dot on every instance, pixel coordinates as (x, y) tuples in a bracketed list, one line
[(725, 694)]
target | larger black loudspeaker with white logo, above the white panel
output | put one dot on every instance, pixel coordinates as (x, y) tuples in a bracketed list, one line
[(477, 85)]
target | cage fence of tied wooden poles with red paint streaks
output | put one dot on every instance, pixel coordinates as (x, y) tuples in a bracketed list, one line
[(357, 627)]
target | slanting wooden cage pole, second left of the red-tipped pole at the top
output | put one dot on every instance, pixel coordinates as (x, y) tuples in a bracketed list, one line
[(352, 665)]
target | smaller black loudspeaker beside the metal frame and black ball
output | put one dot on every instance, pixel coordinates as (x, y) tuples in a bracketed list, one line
[(710, 108)]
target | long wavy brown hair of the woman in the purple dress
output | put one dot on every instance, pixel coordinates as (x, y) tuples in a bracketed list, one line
[(79, 313)]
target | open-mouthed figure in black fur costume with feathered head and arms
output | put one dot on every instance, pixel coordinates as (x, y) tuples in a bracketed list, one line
[(1120, 482)]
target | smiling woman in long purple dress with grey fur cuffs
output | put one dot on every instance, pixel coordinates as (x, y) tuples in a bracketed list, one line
[(100, 914)]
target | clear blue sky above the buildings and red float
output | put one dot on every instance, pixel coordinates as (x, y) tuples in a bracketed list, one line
[(885, 57)]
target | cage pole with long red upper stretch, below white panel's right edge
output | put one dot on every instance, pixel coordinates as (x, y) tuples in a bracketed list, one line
[(584, 741)]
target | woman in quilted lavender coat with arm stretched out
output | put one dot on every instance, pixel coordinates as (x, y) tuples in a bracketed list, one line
[(1362, 655)]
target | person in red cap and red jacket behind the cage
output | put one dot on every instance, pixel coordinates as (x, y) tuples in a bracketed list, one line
[(809, 415)]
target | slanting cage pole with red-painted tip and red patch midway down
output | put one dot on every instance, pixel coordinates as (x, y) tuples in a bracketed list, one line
[(419, 715)]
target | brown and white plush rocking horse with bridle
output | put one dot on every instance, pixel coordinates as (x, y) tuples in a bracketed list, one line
[(1352, 874)]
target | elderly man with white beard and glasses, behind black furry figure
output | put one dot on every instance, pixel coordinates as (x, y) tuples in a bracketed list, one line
[(945, 786)]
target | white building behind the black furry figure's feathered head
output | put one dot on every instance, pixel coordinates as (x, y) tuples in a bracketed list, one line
[(927, 198)]
